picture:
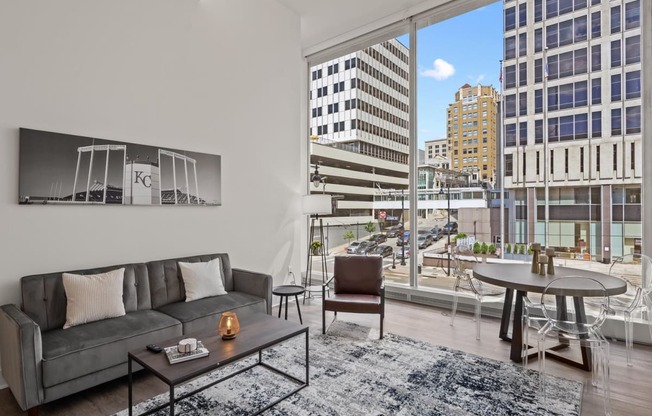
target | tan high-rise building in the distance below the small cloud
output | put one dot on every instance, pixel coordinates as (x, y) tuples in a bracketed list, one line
[(471, 132)]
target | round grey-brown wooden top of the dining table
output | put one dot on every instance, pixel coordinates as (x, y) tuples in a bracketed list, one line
[(520, 277)]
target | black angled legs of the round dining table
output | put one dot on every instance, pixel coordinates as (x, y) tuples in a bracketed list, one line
[(516, 340)]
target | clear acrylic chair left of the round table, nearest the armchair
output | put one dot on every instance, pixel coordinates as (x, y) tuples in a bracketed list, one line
[(464, 281)]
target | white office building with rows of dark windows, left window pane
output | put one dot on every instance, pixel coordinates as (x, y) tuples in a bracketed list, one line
[(359, 126)]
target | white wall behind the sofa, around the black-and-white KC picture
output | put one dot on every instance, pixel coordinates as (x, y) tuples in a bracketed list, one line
[(214, 76)]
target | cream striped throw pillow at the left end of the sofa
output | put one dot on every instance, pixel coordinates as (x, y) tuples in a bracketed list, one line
[(93, 297)]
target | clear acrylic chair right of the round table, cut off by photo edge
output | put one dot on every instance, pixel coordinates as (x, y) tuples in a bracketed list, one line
[(636, 303)]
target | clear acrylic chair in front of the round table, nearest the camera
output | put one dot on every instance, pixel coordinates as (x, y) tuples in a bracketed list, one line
[(563, 323)]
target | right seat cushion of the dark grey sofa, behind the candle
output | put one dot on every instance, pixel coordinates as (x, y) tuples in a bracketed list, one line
[(204, 314)]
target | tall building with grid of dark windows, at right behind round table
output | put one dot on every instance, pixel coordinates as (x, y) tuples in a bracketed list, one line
[(572, 124)]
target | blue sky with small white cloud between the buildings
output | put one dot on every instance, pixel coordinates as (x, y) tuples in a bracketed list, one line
[(464, 49)]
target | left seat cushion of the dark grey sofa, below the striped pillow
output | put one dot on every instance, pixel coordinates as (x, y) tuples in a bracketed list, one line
[(83, 349)]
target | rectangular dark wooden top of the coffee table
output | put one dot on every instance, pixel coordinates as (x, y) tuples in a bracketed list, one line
[(257, 331)]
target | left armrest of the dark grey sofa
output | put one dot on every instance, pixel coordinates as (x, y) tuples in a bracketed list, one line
[(21, 354)]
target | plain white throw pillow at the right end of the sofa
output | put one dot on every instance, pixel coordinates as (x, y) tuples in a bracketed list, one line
[(202, 279)]
